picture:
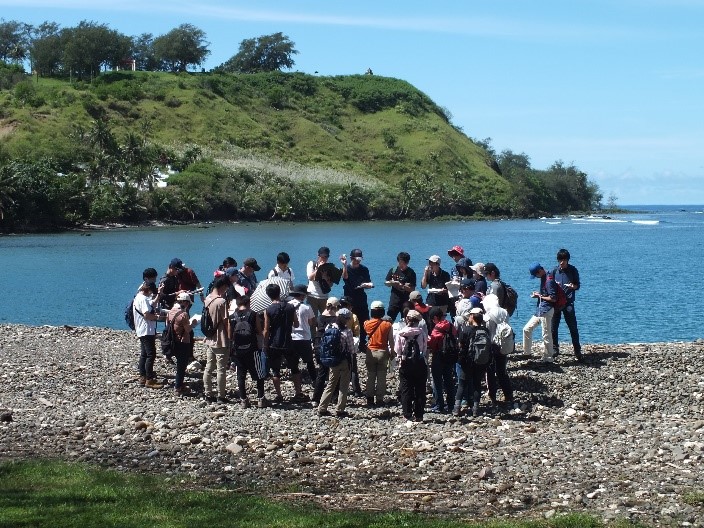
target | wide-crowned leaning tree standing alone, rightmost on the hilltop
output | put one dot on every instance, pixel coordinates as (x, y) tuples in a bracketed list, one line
[(262, 54)]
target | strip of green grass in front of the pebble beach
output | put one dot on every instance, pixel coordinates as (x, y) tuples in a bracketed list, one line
[(58, 494)]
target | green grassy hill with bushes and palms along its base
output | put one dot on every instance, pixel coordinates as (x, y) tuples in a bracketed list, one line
[(255, 146)]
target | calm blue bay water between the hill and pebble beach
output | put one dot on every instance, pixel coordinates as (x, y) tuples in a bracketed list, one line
[(639, 271)]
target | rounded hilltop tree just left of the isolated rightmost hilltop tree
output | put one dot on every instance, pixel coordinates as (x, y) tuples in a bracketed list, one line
[(181, 47)]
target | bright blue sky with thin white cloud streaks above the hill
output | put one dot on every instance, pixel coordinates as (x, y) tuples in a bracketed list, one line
[(615, 87)]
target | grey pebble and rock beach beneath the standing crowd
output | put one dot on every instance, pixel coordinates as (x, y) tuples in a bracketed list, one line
[(620, 436)]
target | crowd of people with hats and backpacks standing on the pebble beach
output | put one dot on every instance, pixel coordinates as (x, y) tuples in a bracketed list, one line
[(456, 340)]
